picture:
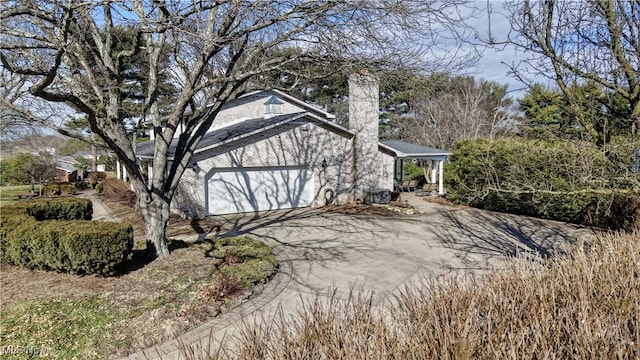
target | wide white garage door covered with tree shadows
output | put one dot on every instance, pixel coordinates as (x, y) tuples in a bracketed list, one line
[(249, 190)]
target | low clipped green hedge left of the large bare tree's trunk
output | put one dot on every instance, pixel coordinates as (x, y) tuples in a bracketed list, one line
[(46, 235)]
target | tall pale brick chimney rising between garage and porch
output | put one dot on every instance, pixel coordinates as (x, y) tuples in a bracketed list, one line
[(363, 120)]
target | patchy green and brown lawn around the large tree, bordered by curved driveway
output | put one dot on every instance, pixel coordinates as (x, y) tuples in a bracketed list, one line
[(61, 316)]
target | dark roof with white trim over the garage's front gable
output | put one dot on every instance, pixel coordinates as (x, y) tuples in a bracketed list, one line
[(238, 131)]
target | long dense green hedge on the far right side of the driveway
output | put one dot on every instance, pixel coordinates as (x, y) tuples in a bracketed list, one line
[(560, 180)]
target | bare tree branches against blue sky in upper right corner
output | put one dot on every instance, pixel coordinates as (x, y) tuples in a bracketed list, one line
[(573, 42)]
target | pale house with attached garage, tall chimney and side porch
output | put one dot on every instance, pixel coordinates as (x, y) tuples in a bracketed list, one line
[(268, 150)]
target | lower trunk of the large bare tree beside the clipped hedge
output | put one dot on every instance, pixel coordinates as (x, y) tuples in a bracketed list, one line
[(156, 217)]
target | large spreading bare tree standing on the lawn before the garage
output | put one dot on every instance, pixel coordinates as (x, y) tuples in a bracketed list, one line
[(66, 48)]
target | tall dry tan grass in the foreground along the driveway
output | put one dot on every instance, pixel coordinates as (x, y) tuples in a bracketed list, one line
[(583, 305)]
